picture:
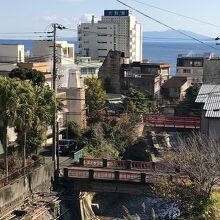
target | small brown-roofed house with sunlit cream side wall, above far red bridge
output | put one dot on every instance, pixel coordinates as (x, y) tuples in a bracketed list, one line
[(175, 87)]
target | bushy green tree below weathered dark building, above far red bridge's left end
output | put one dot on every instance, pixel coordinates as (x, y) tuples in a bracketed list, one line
[(139, 102)]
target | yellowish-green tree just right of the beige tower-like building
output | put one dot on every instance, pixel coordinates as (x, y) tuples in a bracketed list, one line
[(95, 95)]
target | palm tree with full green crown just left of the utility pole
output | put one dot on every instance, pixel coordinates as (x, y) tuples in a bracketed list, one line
[(41, 105)]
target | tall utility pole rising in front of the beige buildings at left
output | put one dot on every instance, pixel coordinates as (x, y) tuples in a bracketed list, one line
[(55, 91)]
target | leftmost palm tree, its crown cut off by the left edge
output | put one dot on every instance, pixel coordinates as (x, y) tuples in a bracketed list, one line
[(8, 109)]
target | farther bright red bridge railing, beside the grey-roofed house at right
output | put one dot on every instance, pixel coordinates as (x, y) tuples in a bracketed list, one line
[(172, 121)]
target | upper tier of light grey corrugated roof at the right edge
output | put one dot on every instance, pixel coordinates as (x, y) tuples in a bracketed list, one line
[(205, 91)]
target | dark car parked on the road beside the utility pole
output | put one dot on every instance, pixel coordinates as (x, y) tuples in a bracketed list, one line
[(67, 146)]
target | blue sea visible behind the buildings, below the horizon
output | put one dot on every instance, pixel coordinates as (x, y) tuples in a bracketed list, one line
[(153, 51)]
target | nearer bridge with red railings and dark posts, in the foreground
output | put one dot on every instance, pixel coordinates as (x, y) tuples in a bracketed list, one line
[(102, 174)]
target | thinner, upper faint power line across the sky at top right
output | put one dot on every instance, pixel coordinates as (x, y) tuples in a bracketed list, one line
[(178, 14)]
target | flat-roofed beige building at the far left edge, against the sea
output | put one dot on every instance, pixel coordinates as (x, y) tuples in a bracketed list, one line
[(11, 53)]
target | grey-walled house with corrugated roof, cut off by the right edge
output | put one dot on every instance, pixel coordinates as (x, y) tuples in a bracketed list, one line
[(209, 96)]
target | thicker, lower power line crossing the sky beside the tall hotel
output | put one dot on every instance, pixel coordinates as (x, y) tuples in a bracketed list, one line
[(166, 25)]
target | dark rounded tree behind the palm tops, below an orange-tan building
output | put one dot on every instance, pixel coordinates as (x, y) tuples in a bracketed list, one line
[(34, 76)]
